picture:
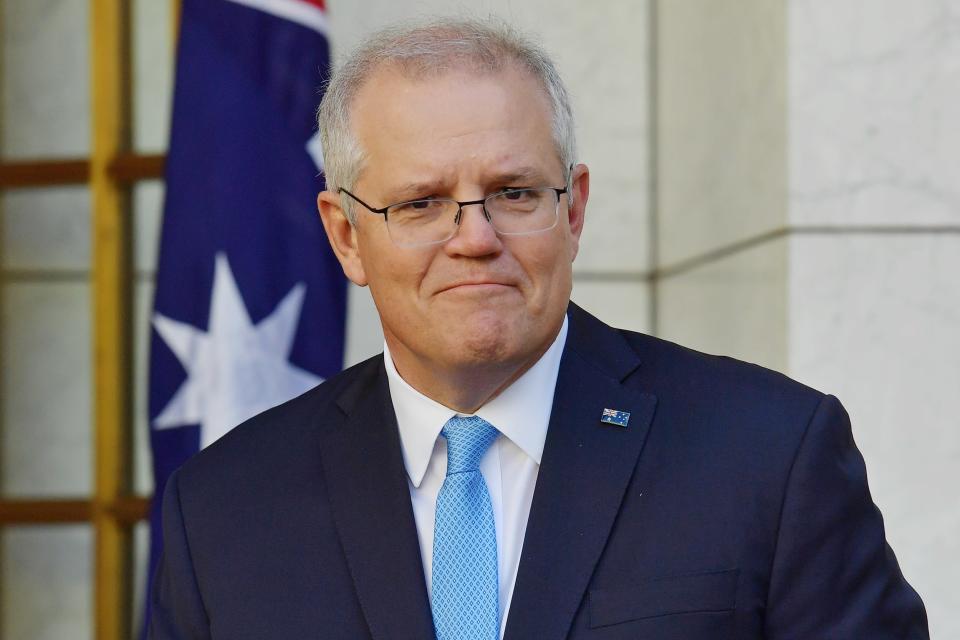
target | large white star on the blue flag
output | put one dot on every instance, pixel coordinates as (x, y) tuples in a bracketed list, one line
[(235, 370)]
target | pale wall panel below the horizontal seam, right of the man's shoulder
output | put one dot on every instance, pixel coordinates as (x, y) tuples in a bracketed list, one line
[(874, 320)]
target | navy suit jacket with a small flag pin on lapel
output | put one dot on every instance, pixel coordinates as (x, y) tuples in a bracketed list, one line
[(733, 505)]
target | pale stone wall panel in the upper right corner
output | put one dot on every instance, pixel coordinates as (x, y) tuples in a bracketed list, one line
[(874, 98)]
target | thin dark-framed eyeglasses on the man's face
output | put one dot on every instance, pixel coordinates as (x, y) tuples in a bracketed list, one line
[(511, 212)]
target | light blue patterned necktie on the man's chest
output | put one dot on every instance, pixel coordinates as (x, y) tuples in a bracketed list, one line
[(465, 582)]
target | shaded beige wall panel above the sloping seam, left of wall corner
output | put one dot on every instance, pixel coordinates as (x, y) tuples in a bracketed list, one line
[(721, 123)]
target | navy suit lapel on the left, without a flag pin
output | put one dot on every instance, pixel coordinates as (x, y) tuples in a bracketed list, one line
[(368, 491)]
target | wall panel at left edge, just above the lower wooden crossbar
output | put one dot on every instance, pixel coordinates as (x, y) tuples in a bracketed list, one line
[(46, 442)]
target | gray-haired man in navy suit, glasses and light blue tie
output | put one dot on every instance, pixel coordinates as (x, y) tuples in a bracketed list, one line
[(510, 466)]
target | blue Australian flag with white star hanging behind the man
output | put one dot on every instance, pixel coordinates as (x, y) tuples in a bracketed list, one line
[(250, 301)]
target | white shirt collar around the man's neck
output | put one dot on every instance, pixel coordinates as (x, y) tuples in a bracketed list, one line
[(521, 412)]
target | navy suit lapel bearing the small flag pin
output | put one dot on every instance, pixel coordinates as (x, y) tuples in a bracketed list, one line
[(585, 470)]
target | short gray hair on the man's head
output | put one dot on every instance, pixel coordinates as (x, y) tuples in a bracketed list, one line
[(427, 50)]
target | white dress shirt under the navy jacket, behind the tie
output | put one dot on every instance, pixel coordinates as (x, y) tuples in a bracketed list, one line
[(521, 414)]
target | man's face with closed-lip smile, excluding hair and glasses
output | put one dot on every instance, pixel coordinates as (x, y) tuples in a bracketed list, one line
[(478, 299)]
